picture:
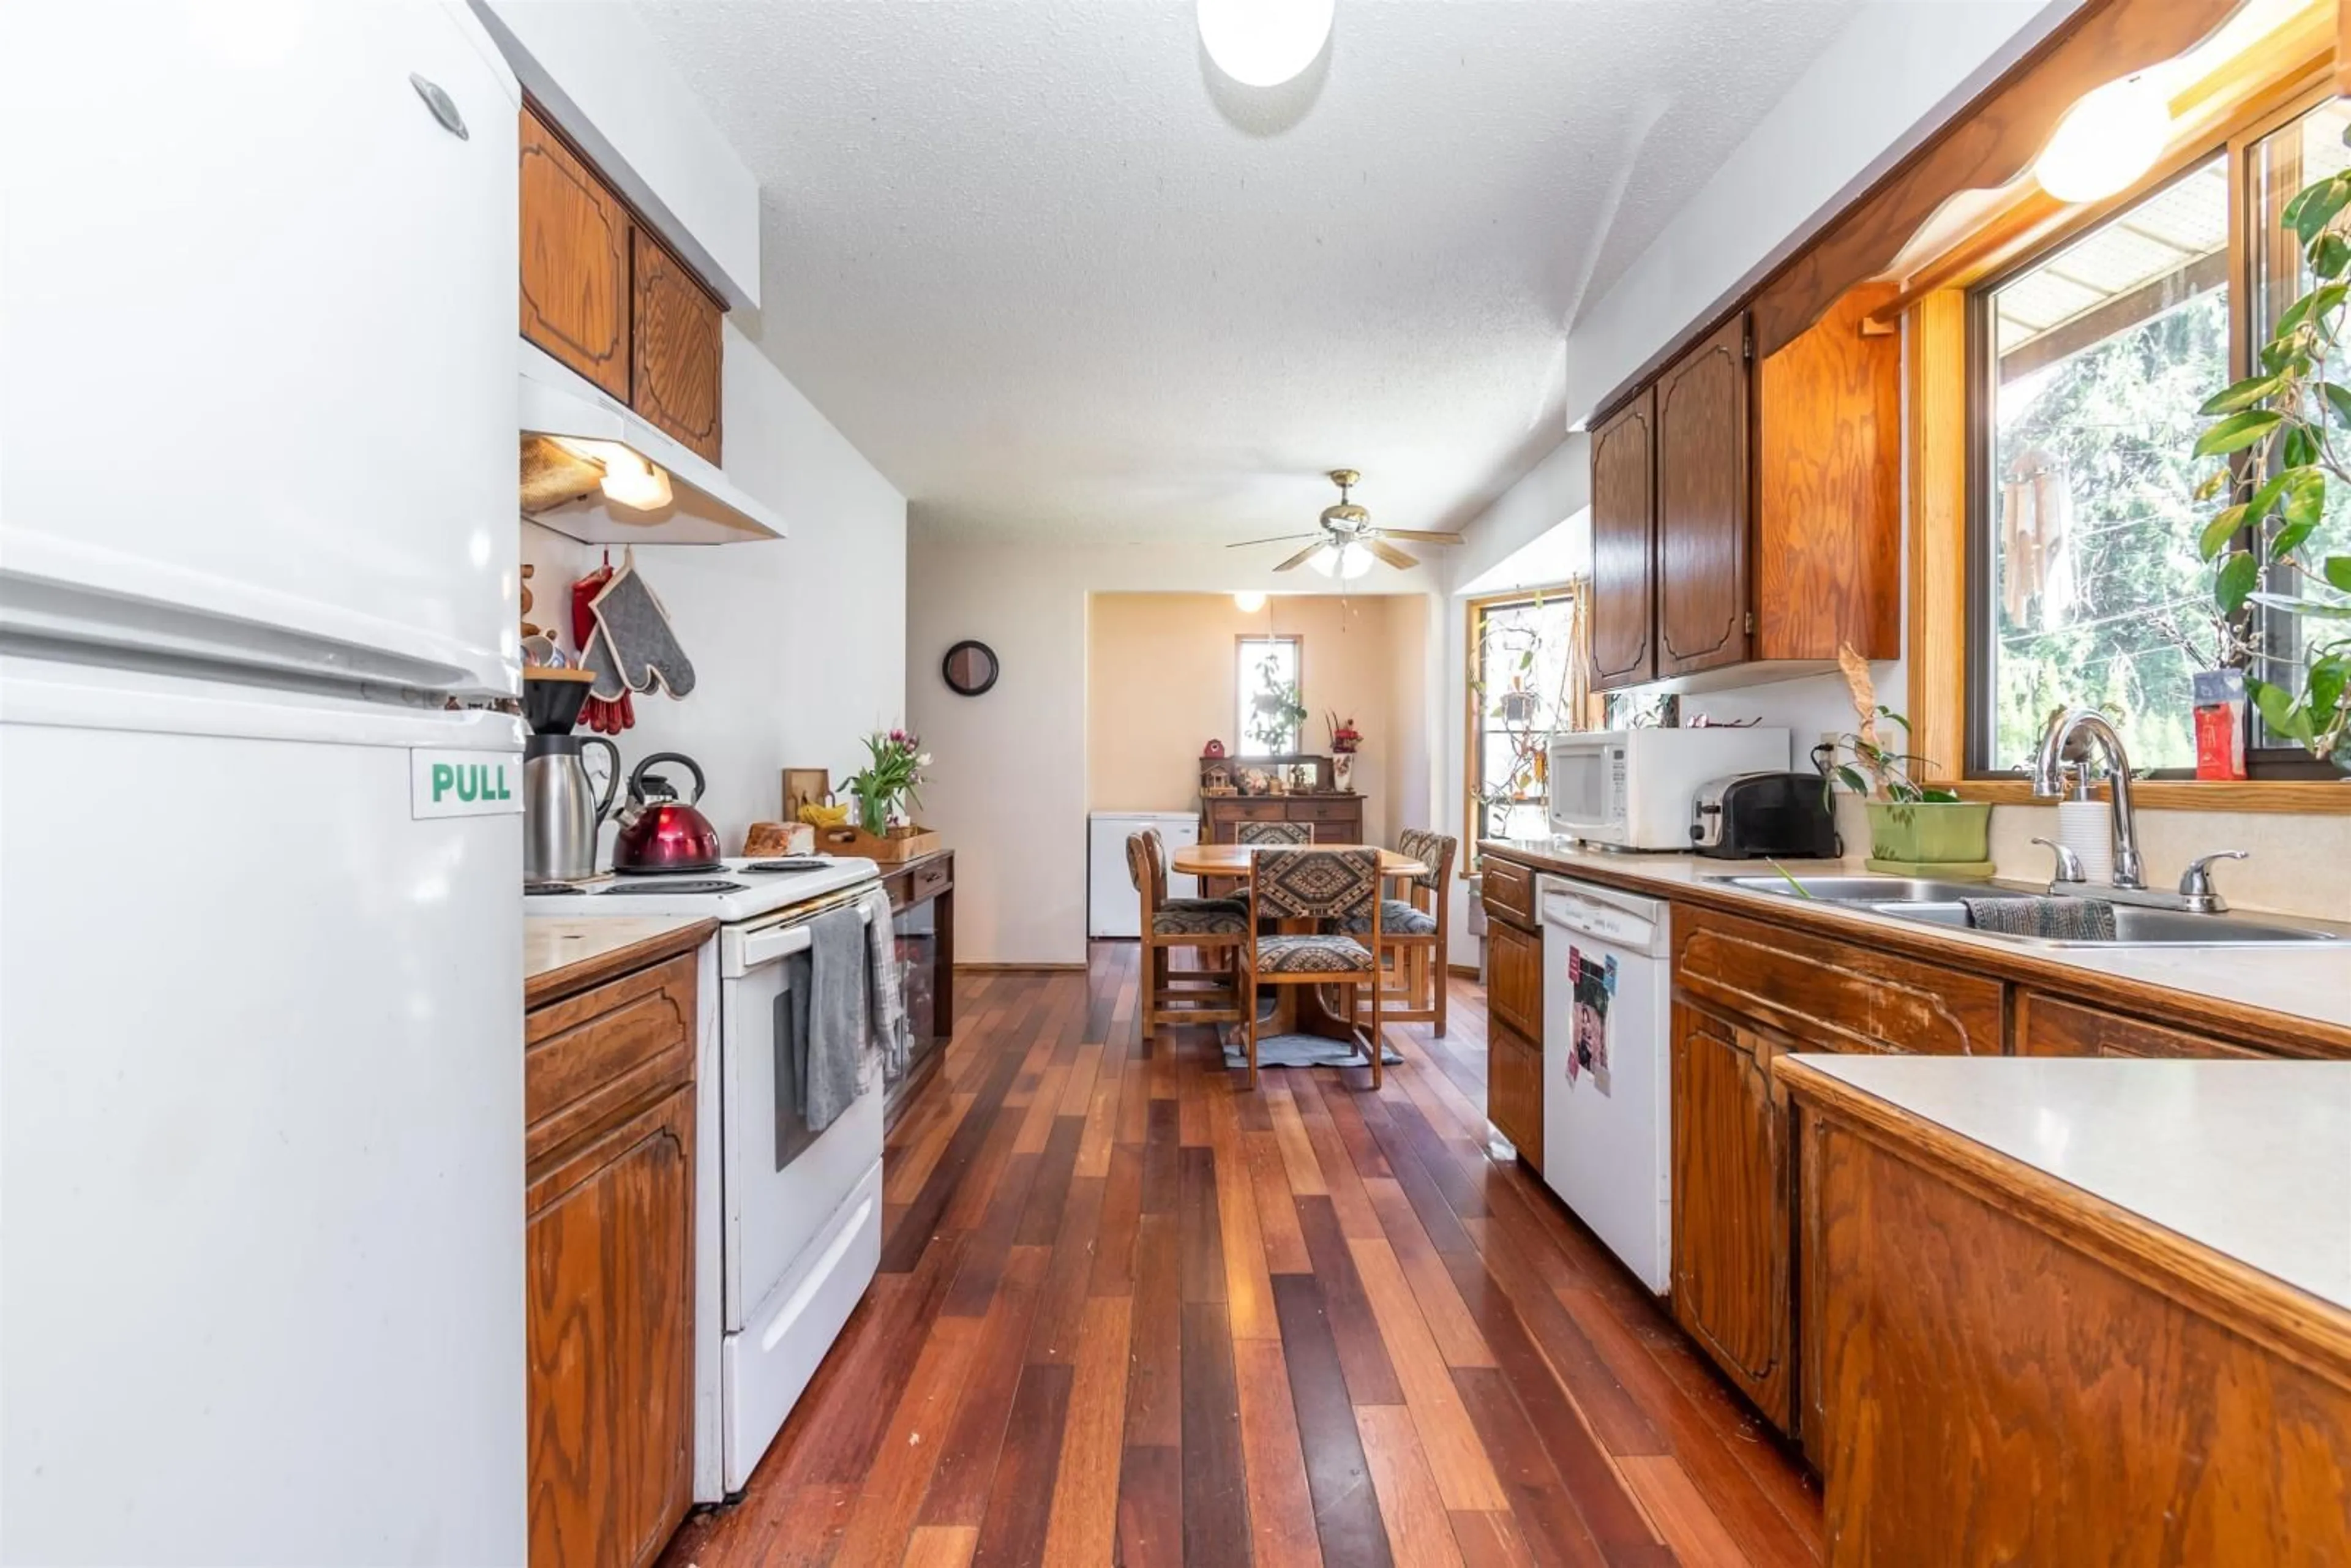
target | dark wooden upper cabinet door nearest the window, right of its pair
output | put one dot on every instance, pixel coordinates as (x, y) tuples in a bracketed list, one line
[(1703, 485)]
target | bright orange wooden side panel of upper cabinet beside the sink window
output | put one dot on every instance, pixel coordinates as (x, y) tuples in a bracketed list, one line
[(1830, 488)]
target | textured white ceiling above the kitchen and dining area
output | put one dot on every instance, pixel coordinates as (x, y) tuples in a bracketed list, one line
[(1059, 279)]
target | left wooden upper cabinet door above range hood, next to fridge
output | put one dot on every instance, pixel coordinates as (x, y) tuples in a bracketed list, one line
[(575, 260)]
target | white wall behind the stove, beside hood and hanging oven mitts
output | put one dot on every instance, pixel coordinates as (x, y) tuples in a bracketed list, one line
[(798, 645)]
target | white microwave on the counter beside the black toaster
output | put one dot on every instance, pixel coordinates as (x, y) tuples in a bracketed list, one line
[(1630, 789)]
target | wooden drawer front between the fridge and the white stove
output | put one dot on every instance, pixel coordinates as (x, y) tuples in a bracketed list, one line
[(594, 1057)]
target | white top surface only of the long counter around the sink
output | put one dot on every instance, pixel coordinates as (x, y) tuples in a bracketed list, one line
[(2277, 979)]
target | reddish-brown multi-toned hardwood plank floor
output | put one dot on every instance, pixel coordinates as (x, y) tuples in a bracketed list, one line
[(1137, 1315)]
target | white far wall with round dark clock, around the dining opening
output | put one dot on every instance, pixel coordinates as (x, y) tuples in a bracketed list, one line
[(1010, 768)]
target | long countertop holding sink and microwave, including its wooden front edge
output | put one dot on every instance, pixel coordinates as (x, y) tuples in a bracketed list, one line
[(2293, 1000)]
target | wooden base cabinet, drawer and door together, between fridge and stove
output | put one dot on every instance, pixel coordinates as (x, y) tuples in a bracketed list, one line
[(610, 1266)]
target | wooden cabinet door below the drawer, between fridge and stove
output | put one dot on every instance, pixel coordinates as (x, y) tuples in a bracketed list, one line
[(610, 1268)]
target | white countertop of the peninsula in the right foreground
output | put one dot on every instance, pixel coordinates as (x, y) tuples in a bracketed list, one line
[(2251, 1160)]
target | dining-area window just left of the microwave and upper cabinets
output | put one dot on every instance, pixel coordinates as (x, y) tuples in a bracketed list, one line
[(1525, 685)]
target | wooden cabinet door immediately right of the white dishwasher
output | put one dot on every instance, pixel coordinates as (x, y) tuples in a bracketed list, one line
[(1732, 1207)]
